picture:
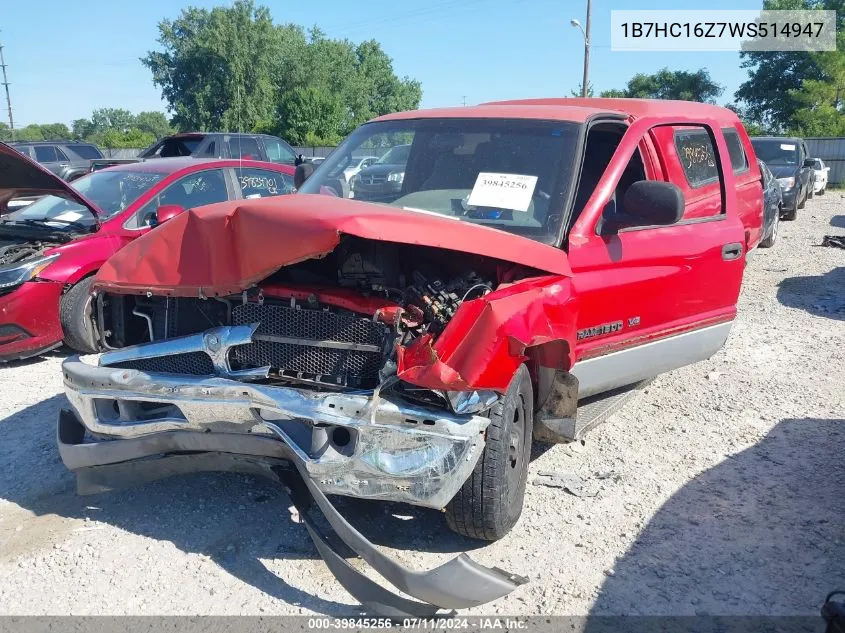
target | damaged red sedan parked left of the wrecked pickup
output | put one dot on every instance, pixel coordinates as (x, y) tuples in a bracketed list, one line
[(50, 250)]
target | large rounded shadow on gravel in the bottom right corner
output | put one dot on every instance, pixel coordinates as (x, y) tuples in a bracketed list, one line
[(761, 533)]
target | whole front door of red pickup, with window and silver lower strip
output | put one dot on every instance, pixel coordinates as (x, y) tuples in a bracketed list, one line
[(654, 298)]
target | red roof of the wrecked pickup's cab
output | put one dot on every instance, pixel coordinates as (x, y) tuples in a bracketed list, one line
[(572, 109)]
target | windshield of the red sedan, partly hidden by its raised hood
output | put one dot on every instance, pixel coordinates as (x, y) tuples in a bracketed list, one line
[(111, 191)]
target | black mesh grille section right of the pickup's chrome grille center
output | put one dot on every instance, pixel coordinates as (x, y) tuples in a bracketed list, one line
[(357, 368)]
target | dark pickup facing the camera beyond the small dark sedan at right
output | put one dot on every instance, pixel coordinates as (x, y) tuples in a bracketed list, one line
[(788, 160)]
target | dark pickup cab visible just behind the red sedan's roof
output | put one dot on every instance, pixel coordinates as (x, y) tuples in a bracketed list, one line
[(224, 145)]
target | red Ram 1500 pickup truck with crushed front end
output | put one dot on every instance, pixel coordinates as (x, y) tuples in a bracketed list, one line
[(533, 259)]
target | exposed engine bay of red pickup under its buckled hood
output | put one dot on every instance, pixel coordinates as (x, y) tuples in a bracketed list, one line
[(333, 323)]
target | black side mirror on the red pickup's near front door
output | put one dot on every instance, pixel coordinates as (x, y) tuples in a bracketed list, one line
[(647, 203)]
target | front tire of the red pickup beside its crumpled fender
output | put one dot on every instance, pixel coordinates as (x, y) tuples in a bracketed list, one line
[(490, 501)]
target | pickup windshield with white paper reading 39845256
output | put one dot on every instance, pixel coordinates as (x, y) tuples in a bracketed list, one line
[(512, 175)]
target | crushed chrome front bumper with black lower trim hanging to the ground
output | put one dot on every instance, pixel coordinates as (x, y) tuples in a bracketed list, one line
[(131, 427)]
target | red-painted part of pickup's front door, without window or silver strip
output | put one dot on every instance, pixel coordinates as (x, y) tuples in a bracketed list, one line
[(649, 283)]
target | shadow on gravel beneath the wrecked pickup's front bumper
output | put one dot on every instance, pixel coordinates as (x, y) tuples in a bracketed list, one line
[(236, 520)]
